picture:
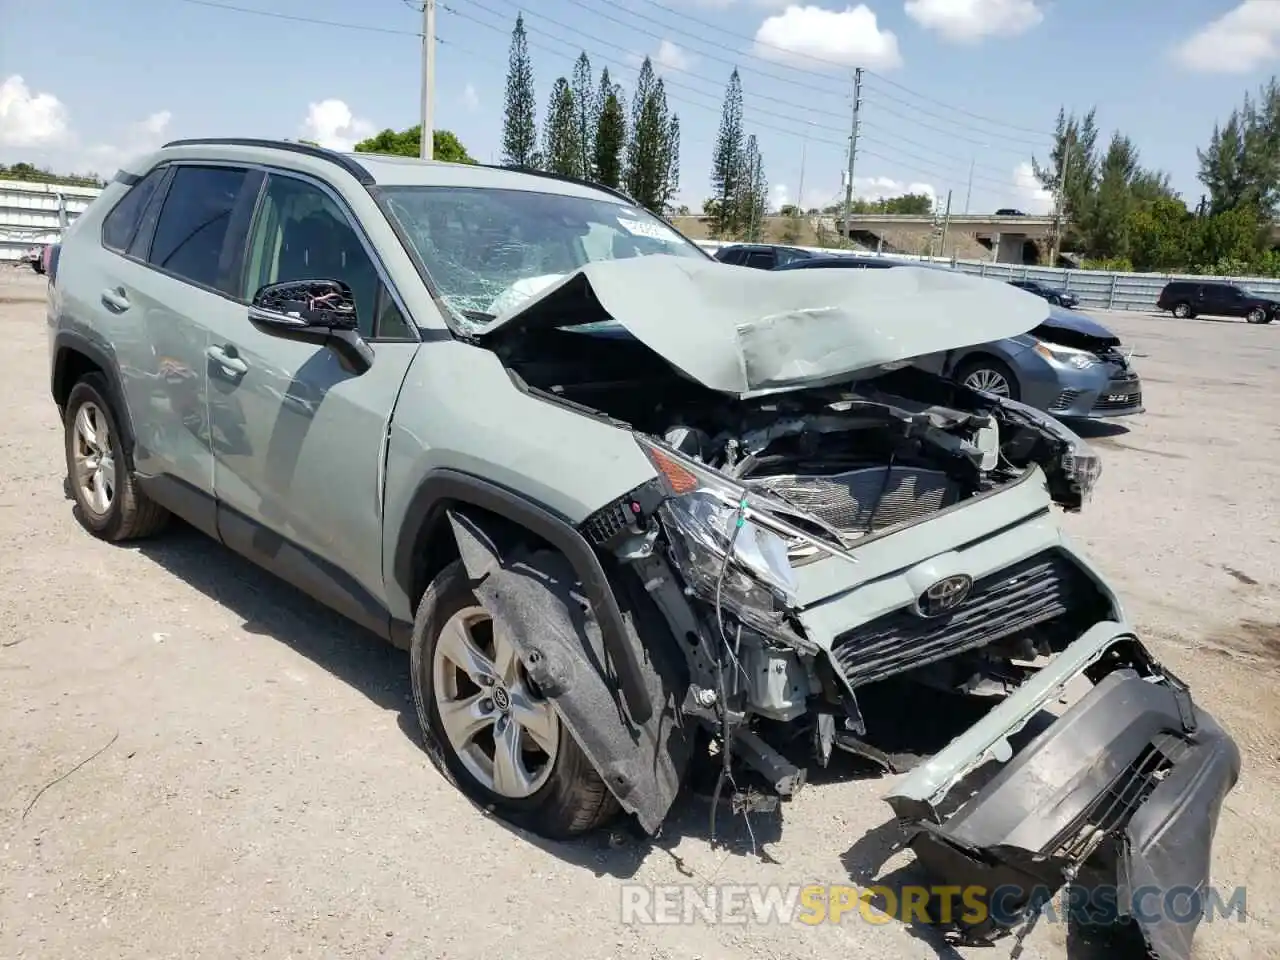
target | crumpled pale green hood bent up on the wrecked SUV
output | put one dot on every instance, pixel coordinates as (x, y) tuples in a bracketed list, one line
[(755, 332)]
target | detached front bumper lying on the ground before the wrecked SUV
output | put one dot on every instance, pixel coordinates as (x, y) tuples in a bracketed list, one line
[(1131, 778)]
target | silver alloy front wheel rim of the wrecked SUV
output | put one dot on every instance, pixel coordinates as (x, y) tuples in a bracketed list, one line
[(497, 723)]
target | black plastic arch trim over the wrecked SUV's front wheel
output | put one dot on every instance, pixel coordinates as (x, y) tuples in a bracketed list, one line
[(444, 488)]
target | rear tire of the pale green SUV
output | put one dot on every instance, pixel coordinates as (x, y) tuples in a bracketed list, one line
[(125, 513)]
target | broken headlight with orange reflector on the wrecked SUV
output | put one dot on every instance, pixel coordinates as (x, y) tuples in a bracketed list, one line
[(724, 555)]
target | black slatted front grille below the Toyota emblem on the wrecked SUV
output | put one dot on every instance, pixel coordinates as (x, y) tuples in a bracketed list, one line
[(1000, 606)]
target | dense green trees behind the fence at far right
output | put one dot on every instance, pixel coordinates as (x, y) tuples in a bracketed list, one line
[(1124, 216)]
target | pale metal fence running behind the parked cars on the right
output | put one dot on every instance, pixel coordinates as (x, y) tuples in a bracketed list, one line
[(1101, 290)]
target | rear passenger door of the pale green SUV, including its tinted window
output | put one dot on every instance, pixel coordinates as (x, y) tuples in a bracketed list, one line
[(168, 278)]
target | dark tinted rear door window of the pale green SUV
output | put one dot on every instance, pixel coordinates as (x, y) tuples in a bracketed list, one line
[(193, 226)]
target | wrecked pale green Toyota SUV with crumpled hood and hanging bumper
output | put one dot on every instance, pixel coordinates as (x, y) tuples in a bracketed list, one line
[(624, 504)]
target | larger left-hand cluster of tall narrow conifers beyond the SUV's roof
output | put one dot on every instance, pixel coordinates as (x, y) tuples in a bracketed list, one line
[(588, 131)]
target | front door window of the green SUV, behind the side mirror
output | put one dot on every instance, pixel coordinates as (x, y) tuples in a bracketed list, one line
[(303, 235)]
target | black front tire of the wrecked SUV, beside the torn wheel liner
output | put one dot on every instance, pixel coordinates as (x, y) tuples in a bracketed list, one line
[(570, 798)]
